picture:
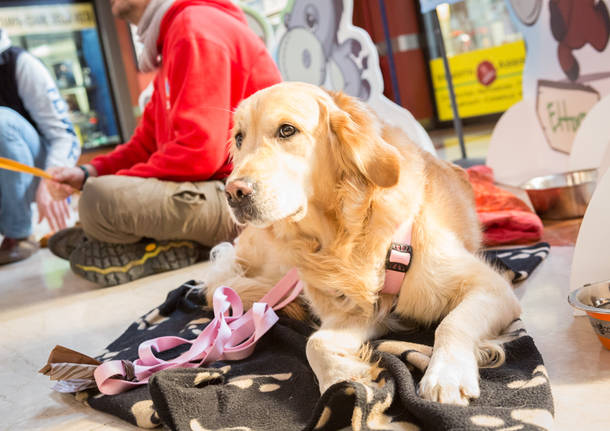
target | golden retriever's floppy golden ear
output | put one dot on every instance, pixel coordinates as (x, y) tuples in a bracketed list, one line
[(359, 147)]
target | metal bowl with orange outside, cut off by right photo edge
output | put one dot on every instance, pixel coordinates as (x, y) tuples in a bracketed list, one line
[(594, 299)]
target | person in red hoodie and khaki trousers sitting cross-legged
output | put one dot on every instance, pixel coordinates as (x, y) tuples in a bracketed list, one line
[(157, 202)]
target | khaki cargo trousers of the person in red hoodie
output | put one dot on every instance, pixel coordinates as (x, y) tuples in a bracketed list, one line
[(122, 209)]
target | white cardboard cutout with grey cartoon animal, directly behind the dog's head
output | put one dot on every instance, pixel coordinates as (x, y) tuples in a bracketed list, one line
[(319, 44)]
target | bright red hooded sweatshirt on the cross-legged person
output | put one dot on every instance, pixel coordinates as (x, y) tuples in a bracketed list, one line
[(211, 60)]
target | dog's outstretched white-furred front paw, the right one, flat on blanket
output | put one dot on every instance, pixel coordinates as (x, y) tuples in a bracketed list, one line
[(451, 379)]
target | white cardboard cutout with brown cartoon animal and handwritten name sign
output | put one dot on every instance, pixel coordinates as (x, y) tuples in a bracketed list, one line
[(566, 73)]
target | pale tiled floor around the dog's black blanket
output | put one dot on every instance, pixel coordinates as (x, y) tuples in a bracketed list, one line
[(43, 304)]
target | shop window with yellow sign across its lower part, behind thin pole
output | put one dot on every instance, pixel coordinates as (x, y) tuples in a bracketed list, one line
[(486, 56)]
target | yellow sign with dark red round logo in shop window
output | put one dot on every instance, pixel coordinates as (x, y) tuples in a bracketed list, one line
[(485, 81)]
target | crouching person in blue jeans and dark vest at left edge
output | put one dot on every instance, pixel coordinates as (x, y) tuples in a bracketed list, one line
[(34, 130)]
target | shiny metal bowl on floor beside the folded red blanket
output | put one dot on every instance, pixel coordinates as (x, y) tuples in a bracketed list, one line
[(562, 196)]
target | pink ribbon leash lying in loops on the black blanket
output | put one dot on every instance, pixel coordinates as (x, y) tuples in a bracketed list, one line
[(228, 336)]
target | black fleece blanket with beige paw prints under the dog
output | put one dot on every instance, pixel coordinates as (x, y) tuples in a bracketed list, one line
[(275, 389)]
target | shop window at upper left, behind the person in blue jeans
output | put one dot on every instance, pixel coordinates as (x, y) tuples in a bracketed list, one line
[(64, 36)]
